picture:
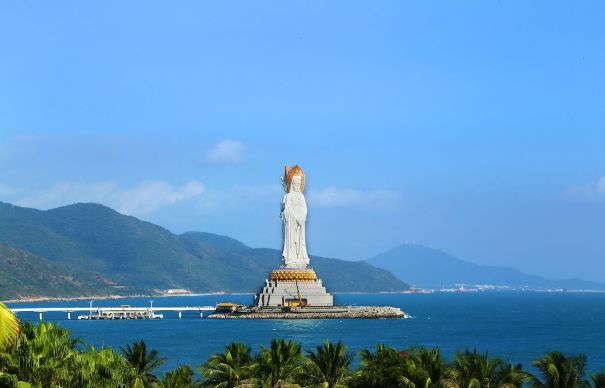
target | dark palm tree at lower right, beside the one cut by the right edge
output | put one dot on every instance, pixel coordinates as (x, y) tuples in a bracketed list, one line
[(559, 371)]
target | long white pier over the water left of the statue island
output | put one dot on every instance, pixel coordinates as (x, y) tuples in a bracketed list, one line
[(119, 312)]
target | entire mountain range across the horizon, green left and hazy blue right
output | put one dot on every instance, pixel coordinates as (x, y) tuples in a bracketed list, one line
[(88, 249)]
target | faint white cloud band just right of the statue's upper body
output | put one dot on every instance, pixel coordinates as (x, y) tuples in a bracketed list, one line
[(344, 197)]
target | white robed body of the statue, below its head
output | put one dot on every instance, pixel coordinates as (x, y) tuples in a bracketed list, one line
[(294, 216)]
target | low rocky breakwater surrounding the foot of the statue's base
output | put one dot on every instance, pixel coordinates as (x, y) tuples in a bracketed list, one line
[(359, 312)]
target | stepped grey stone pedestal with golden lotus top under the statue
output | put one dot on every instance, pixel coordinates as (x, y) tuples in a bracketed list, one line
[(293, 287)]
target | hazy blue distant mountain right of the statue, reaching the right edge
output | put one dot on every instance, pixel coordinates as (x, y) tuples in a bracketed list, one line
[(427, 267)]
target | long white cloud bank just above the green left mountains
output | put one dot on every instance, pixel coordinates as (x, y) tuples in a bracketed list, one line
[(144, 198)]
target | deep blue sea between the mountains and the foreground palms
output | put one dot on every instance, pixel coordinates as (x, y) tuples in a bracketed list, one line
[(517, 326)]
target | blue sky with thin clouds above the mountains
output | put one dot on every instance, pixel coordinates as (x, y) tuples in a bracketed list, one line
[(475, 127)]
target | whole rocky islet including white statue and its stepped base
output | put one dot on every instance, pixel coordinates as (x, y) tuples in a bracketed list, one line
[(294, 291)]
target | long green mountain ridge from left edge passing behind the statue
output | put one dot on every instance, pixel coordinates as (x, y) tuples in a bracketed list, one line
[(135, 256)]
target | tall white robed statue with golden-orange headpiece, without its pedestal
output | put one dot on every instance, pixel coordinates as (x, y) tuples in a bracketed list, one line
[(294, 216)]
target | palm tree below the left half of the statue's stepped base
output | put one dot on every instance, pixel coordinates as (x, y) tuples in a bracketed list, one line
[(278, 363)]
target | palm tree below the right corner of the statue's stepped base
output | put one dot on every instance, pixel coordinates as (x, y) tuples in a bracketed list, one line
[(332, 362)]
